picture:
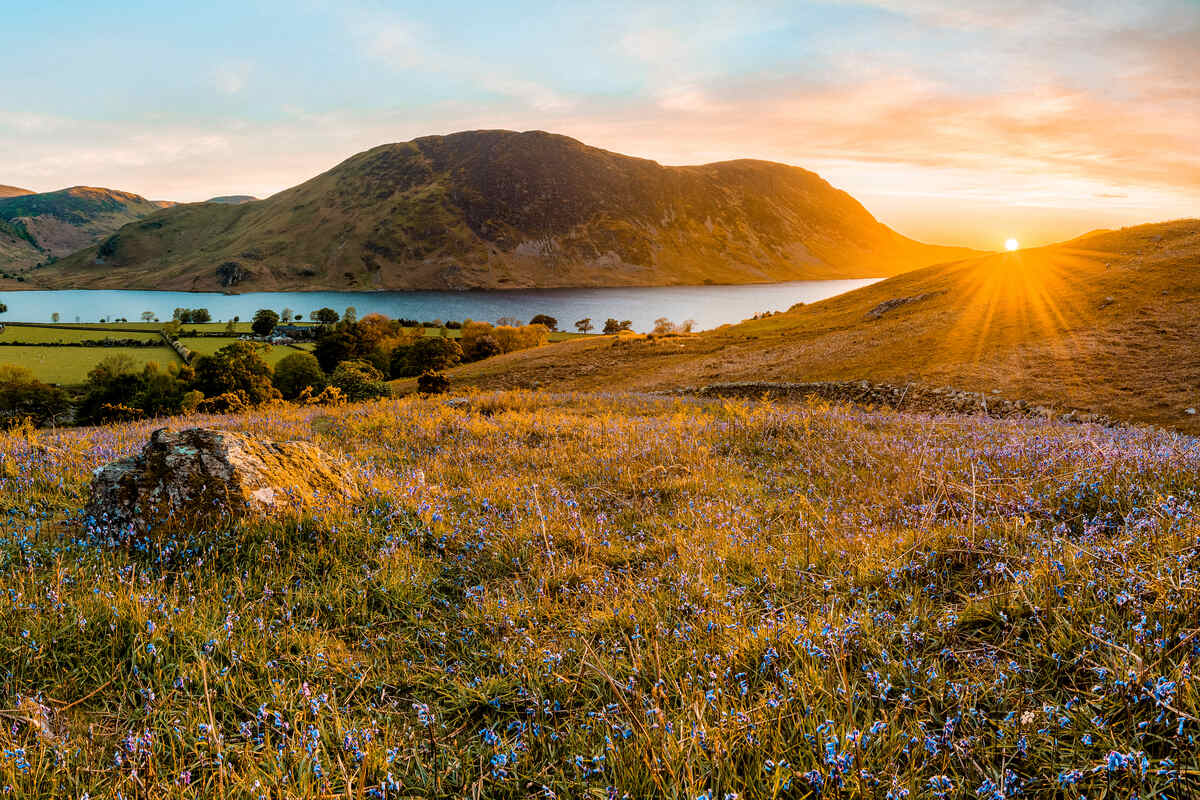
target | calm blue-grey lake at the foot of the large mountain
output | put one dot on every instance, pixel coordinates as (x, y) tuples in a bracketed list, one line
[(709, 306)]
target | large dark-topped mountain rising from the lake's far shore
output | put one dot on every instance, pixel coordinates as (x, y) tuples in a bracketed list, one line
[(499, 209)]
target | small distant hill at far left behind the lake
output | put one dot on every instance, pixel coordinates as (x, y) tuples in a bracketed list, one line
[(38, 227)]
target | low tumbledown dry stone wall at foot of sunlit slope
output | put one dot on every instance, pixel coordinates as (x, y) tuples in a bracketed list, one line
[(909, 398)]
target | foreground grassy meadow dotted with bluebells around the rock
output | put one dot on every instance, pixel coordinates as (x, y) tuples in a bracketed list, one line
[(572, 596)]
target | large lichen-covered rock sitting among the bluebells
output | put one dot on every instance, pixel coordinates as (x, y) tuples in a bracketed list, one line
[(201, 476)]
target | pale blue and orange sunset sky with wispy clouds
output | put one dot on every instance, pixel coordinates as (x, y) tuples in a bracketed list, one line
[(956, 123)]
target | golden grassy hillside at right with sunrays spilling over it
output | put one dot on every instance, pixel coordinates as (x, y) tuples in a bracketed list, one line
[(1106, 323)]
